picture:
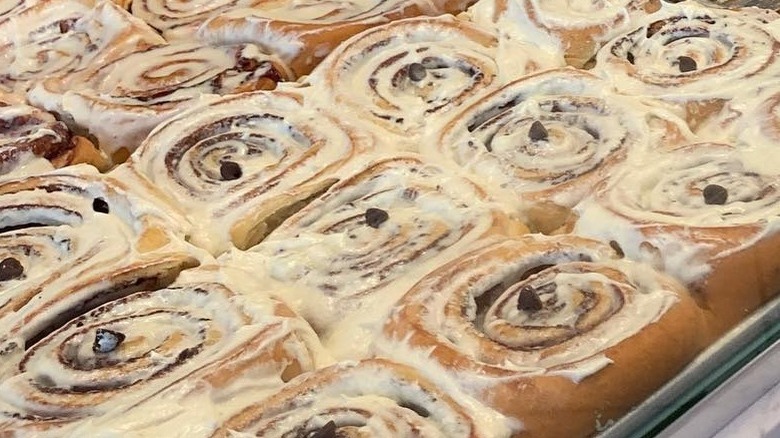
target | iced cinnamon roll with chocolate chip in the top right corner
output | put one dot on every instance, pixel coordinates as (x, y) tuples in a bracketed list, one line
[(693, 58)]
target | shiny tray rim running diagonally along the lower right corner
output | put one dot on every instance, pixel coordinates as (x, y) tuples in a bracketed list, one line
[(710, 369)]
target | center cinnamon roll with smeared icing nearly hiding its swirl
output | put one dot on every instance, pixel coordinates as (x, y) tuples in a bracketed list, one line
[(351, 253)]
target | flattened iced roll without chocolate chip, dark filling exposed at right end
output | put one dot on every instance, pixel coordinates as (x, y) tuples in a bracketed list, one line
[(122, 101)]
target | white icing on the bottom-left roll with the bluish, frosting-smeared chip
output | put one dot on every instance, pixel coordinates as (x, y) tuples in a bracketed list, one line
[(220, 312)]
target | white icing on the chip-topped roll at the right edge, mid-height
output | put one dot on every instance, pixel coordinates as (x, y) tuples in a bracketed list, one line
[(639, 198)]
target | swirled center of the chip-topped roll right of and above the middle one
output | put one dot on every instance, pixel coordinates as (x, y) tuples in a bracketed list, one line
[(577, 136)]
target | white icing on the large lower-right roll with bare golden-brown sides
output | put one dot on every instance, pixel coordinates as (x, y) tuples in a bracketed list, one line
[(645, 297)]
